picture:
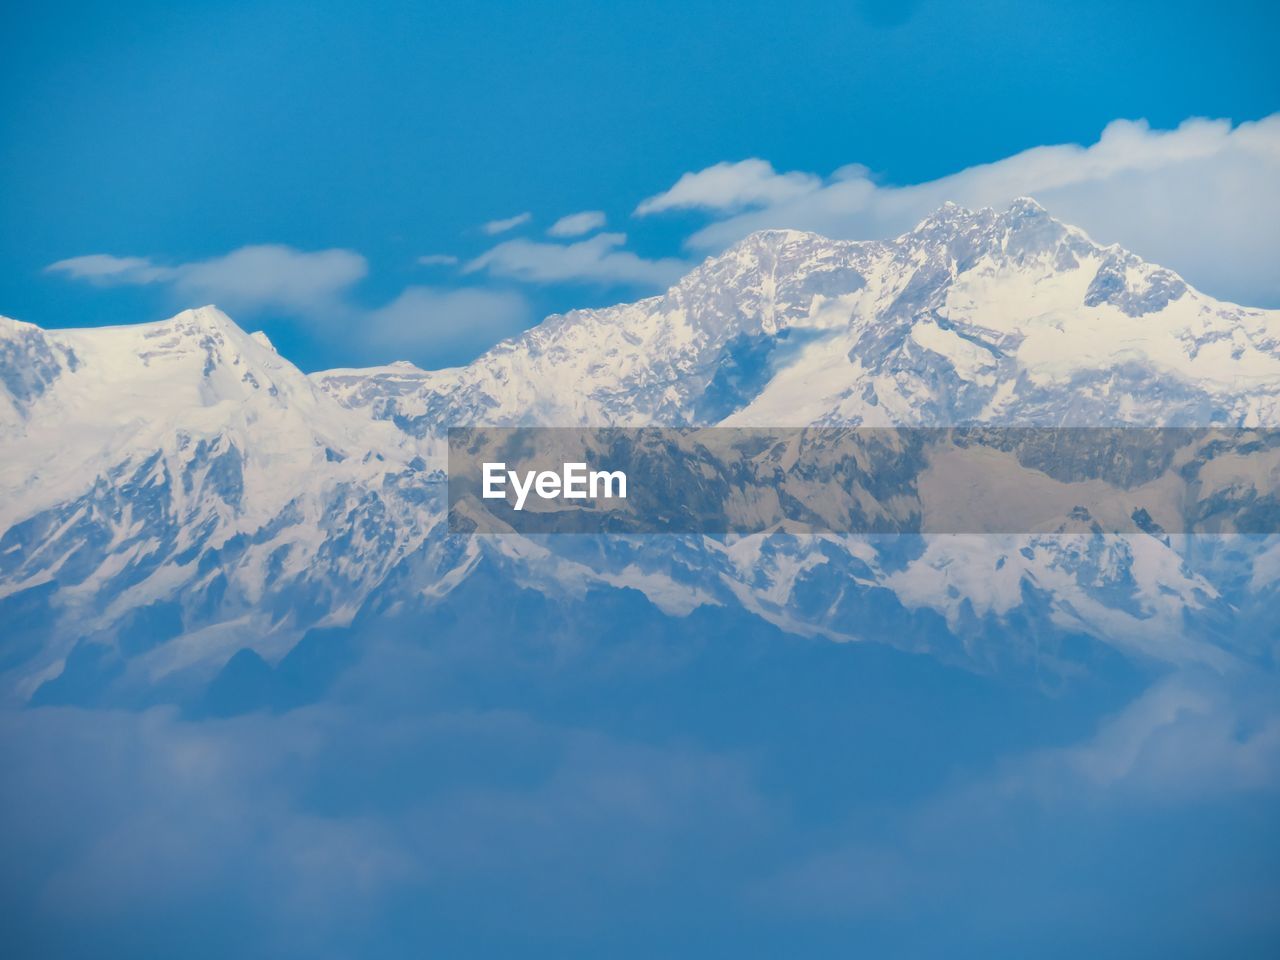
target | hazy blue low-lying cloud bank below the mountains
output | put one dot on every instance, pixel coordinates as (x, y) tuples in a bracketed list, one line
[(486, 797)]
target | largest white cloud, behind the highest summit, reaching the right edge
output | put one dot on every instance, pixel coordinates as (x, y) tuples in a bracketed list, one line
[(1203, 199)]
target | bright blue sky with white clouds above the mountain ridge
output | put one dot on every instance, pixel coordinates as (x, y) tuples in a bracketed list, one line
[(342, 144)]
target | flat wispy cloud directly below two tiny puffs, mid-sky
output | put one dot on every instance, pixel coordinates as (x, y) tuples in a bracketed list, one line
[(596, 260)]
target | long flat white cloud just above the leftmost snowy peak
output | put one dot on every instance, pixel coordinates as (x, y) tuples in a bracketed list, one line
[(249, 278)]
